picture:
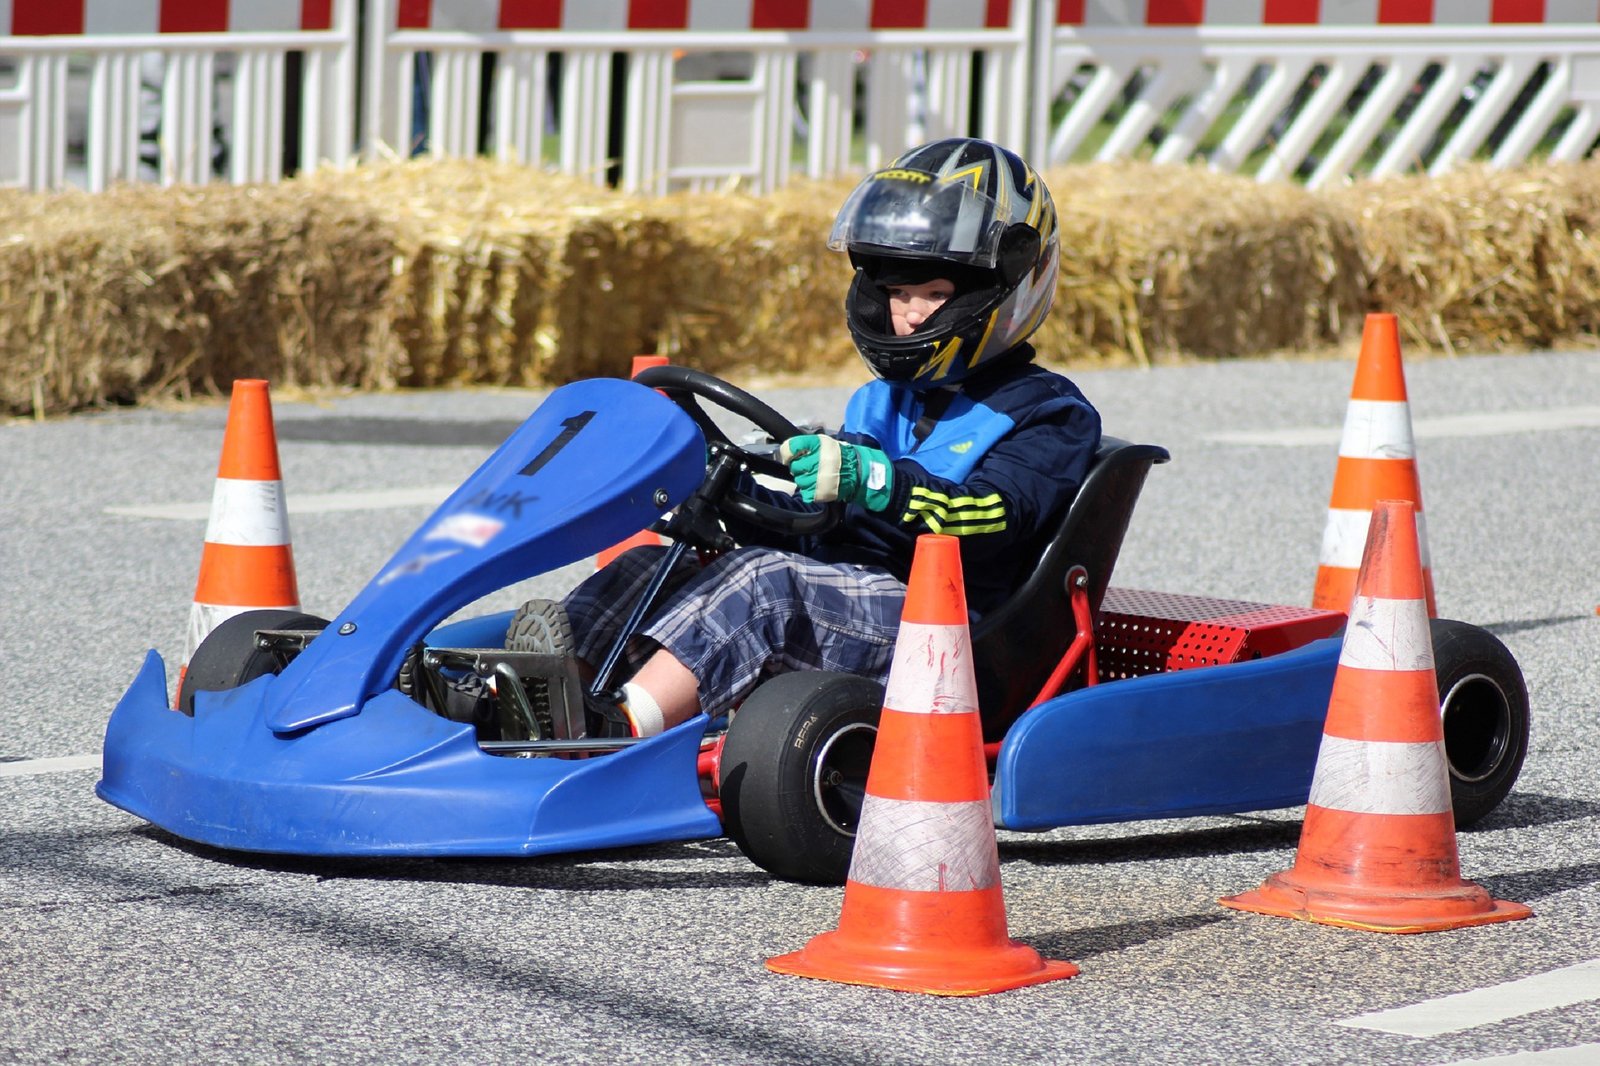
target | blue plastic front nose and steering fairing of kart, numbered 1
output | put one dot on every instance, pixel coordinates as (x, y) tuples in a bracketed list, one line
[(330, 759)]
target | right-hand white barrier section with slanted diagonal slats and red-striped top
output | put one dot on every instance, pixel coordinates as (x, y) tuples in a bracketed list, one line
[(1318, 89)]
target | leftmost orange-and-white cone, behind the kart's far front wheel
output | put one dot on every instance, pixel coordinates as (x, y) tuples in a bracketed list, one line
[(247, 559)]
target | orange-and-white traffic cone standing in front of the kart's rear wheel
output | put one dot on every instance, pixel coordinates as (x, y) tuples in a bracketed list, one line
[(1378, 848)]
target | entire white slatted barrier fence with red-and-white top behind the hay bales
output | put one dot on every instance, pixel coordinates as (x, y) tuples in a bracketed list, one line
[(660, 95)]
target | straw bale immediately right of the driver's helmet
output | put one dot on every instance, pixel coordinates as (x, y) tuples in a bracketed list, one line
[(1183, 260)]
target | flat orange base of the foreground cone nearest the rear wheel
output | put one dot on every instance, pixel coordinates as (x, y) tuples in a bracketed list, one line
[(1458, 907)]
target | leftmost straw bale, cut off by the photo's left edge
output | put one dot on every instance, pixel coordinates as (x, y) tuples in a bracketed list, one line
[(161, 292)]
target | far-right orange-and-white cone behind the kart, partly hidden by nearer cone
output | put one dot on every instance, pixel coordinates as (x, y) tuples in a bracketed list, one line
[(1377, 462)]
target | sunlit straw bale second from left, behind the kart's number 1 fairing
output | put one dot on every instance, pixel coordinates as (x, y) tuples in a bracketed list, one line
[(494, 265)]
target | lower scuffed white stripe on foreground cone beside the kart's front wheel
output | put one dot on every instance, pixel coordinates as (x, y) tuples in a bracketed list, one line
[(919, 846)]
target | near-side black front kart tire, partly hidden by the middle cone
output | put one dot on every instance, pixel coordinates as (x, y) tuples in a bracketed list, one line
[(794, 774)]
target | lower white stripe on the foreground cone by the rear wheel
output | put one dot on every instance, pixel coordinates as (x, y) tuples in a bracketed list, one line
[(1382, 777)]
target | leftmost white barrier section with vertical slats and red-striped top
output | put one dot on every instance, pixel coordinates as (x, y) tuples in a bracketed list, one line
[(158, 74)]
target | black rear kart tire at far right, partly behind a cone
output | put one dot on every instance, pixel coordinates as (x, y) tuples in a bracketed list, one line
[(1484, 703)]
